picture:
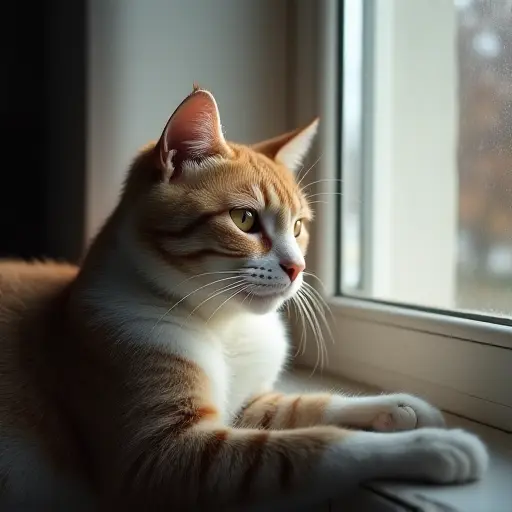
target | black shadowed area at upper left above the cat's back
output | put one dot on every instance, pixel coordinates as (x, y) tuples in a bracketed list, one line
[(43, 109)]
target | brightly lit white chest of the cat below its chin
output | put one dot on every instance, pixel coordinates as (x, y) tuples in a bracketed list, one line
[(254, 354)]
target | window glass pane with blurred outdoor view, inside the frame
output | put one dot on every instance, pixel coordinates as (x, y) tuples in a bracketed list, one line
[(427, 153)]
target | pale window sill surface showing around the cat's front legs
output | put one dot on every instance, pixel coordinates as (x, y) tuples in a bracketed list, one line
[(492, 494)]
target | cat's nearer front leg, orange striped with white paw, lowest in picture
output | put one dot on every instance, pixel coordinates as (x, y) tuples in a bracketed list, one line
[(211, 468)]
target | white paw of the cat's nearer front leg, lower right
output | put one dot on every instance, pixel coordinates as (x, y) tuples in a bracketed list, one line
[(446, 456)]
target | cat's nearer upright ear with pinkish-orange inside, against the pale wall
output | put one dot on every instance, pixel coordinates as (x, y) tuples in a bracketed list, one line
[(193, 132)]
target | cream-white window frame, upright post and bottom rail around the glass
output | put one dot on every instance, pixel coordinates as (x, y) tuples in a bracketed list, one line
[(461, 364)]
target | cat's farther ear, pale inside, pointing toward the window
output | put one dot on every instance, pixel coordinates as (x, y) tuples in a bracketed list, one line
[(290, 148)]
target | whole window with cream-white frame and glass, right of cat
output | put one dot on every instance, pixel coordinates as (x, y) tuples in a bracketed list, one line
[(415, 247)]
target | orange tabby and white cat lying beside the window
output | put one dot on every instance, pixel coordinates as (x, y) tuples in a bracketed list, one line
[(145, 379)]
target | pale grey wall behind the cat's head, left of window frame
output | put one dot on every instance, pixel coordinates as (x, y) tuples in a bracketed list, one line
[(144, 57)]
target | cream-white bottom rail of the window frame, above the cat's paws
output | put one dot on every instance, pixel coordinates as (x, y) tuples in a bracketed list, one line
[(427, 354)]
